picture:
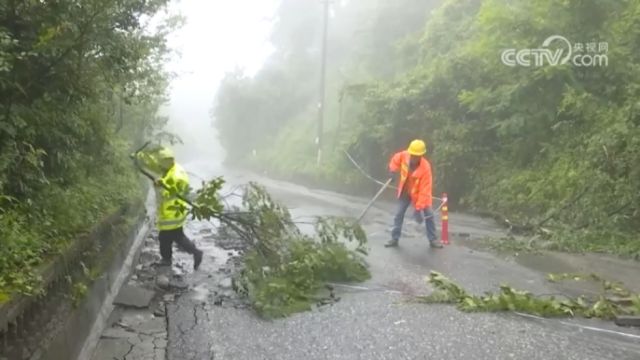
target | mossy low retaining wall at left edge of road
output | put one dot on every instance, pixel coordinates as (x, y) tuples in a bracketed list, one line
[(79, 288)]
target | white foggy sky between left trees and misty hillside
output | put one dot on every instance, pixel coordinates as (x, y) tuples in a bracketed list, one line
[(219, 35)]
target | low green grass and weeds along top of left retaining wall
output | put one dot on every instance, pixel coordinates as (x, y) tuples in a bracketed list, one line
[(36, 231)]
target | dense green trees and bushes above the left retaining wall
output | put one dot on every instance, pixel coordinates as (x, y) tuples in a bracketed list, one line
[(79, 84)]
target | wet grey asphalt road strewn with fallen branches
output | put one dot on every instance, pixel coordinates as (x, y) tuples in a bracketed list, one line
[(374, 320)]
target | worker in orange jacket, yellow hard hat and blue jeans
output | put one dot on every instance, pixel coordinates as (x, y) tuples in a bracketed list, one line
[(414, 188)]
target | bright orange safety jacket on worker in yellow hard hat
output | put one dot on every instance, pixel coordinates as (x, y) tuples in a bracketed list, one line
[(418, 183)]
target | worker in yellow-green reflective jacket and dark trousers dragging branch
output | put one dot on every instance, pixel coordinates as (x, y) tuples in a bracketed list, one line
[(172, 211)]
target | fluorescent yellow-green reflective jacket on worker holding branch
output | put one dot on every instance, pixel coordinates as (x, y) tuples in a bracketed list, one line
[(172, 211)]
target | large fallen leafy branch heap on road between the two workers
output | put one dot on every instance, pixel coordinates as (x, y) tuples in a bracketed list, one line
[(284, 269)]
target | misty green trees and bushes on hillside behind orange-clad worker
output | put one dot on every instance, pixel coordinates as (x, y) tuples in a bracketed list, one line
[(548, 151)]
